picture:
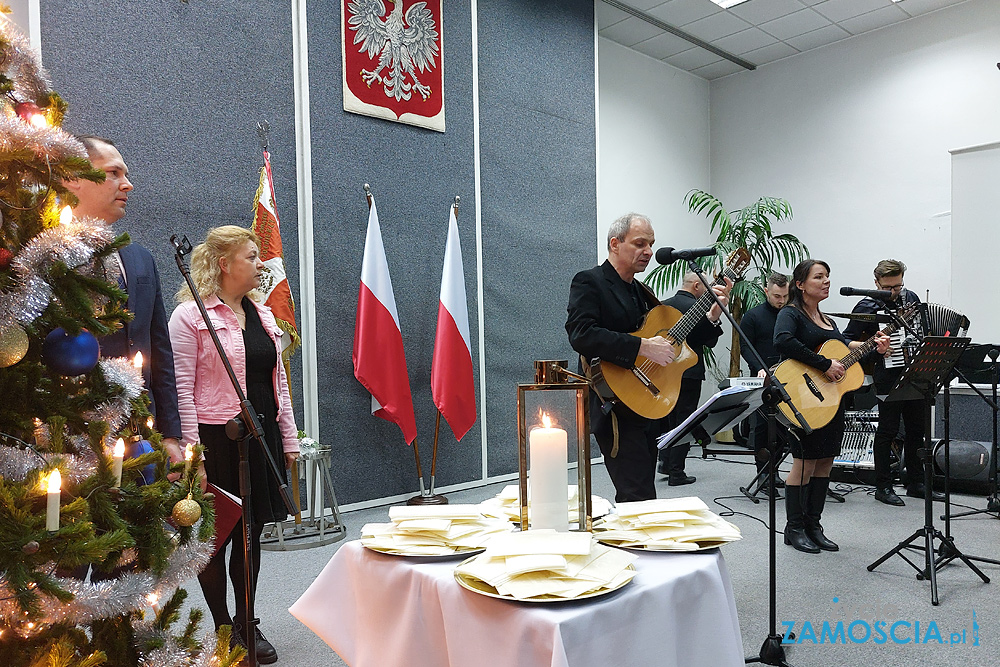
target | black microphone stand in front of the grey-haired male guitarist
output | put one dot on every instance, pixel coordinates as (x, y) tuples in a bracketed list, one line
[(772, 652)]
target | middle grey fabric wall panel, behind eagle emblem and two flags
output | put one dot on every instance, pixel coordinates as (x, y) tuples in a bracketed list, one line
[(414, 174)]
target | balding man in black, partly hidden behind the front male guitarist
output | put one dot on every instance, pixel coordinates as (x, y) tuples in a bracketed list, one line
[(705, 334)]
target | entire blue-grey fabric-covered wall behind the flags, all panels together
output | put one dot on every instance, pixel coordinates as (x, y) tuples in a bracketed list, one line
[(180, 86)]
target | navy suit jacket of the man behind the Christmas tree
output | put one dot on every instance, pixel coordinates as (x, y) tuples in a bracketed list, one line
[(147, 333)]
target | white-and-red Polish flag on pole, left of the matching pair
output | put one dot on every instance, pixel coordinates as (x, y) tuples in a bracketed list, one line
[(379, 362)]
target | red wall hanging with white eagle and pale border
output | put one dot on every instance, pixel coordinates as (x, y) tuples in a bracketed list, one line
[(394, 61)]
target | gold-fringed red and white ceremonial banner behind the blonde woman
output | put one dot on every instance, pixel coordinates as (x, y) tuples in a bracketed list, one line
[(274, 282)]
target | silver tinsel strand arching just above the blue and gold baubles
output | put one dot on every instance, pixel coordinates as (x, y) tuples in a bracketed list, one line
[(73, 243)]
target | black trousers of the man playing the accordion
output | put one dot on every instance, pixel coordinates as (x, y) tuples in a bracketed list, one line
[(913, 414)]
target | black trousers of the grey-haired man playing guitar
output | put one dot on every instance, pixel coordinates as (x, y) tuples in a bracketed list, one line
[(633, 468)]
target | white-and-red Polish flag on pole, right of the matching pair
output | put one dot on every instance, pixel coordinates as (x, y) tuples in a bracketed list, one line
[(451, 369)]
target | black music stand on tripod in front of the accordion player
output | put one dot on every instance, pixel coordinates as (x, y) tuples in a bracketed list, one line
[(922, 379)]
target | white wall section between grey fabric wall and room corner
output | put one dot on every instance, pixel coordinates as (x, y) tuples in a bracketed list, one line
[(653, 145)]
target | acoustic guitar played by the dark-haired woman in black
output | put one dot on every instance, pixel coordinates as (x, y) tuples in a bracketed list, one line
[(816, 396)]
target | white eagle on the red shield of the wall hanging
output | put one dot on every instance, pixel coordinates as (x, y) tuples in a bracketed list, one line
[(403, 44)]
